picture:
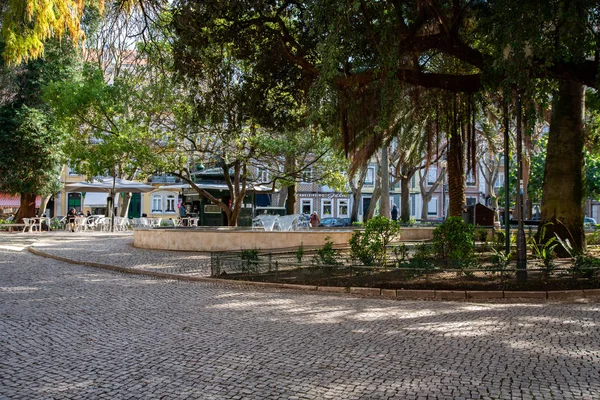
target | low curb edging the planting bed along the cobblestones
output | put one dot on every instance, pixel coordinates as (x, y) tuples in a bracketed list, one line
[(409, 294)]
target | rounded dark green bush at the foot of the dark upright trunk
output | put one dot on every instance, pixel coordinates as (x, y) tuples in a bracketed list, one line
[(454, 241)]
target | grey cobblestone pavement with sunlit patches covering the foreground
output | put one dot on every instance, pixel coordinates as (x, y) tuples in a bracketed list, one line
[(75, 332)]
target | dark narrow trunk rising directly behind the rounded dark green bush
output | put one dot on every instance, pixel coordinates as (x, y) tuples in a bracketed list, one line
[(456, 174)]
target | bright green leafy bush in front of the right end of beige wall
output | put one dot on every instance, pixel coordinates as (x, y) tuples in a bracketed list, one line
[(370, 246)]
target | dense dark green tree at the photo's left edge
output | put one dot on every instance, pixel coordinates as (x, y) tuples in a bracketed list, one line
[(30, 152)]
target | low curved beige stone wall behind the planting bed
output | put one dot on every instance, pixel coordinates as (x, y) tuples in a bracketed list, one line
[(228, 239)]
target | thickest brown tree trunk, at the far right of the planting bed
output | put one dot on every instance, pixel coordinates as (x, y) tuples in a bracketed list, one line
[(563, 191)]
